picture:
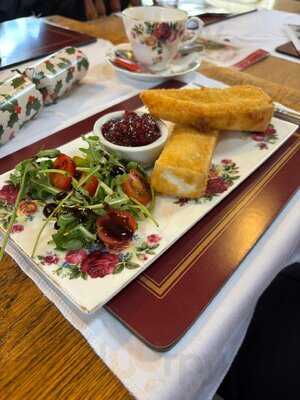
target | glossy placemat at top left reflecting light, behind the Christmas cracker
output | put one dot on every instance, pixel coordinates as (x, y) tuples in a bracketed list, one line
[(30, 38)]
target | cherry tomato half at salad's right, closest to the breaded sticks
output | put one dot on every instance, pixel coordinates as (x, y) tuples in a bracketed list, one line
[(137, 187)]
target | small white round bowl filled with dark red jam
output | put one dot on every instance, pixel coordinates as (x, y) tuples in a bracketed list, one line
[(133, 135)]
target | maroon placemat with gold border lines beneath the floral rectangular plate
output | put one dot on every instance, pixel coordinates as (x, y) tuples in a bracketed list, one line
[(165, 300)]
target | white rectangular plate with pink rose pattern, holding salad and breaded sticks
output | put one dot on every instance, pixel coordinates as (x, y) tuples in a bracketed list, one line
[(91, 277)]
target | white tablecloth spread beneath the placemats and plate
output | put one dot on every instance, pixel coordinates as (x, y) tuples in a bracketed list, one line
[(194, 368)]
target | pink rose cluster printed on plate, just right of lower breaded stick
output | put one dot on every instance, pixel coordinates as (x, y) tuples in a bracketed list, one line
[(221, 177)]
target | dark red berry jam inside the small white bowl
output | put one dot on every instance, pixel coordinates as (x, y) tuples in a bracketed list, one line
[(132, 130)]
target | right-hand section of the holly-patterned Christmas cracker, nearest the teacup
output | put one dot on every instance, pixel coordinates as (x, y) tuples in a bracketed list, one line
[(57, 74)]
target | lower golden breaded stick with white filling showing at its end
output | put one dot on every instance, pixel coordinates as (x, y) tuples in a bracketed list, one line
[(183, 166)]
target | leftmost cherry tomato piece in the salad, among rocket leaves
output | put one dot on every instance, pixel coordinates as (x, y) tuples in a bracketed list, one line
[(64, 163)]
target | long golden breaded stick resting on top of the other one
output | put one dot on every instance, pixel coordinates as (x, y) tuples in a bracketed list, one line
[(241, 108)]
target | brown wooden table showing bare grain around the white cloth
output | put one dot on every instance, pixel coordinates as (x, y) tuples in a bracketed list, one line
[(41, 355)]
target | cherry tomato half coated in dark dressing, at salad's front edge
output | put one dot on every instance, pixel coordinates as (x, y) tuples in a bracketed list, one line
[(116, 229)]
